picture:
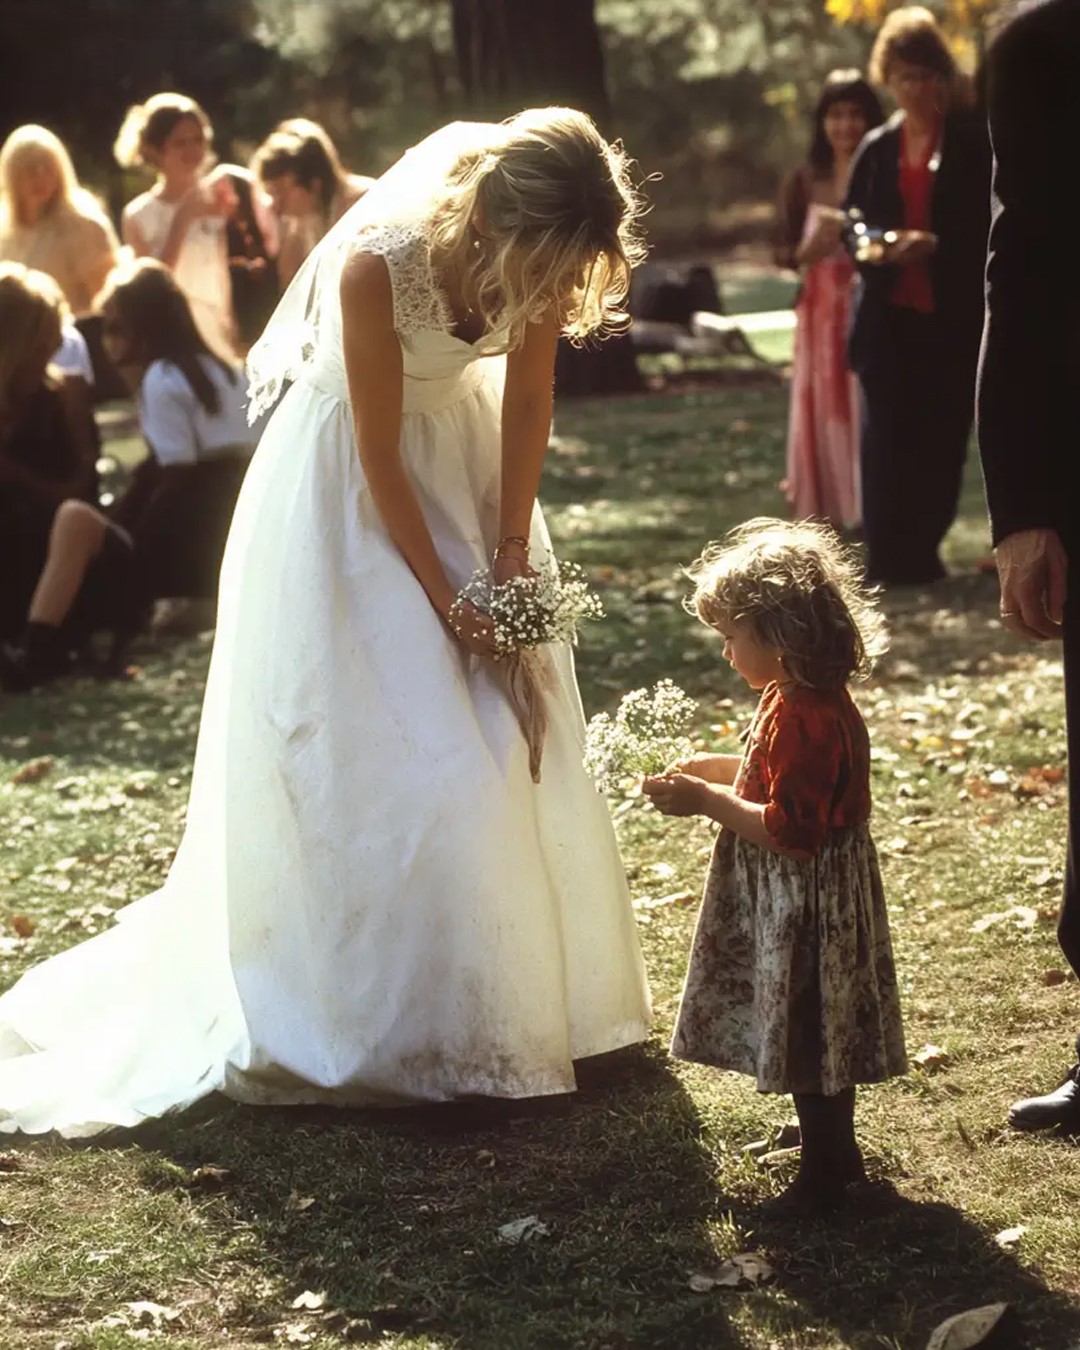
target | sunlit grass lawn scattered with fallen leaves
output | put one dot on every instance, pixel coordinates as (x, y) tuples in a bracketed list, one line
[(237, 1228)]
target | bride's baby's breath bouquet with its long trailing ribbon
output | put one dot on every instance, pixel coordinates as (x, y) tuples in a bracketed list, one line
[(529, 612)]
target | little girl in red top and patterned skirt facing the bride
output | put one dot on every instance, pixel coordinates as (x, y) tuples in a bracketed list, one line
[(792, 975)]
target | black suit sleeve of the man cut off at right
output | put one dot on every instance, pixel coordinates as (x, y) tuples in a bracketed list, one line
[(1023, 373)]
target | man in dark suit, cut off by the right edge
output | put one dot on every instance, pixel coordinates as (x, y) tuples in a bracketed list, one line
[(1029, 389)]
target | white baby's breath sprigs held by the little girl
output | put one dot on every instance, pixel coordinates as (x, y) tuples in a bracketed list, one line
[(649, 734)]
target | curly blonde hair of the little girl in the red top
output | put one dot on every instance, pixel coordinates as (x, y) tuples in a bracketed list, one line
[(799, 589)]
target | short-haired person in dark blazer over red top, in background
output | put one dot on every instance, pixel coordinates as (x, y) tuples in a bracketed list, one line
[(921, 190)]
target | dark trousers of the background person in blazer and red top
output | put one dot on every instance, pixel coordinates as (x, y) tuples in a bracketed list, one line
[(919, 403)]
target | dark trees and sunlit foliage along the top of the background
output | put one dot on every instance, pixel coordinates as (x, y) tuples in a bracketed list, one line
[(712, 95)]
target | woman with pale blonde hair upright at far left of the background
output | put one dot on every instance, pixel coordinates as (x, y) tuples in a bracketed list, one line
[(48, 222)]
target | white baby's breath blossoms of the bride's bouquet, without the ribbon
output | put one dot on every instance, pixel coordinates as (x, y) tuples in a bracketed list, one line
[(545, 607)]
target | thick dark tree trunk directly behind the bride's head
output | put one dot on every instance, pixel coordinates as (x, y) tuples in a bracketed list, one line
[(516, 55)]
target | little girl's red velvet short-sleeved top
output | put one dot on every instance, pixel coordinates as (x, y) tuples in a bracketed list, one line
[(808, 763)]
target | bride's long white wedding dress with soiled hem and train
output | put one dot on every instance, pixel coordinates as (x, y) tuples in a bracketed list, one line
[(373, 902)]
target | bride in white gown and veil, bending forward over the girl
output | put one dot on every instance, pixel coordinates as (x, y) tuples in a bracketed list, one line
[(376, 901)]
